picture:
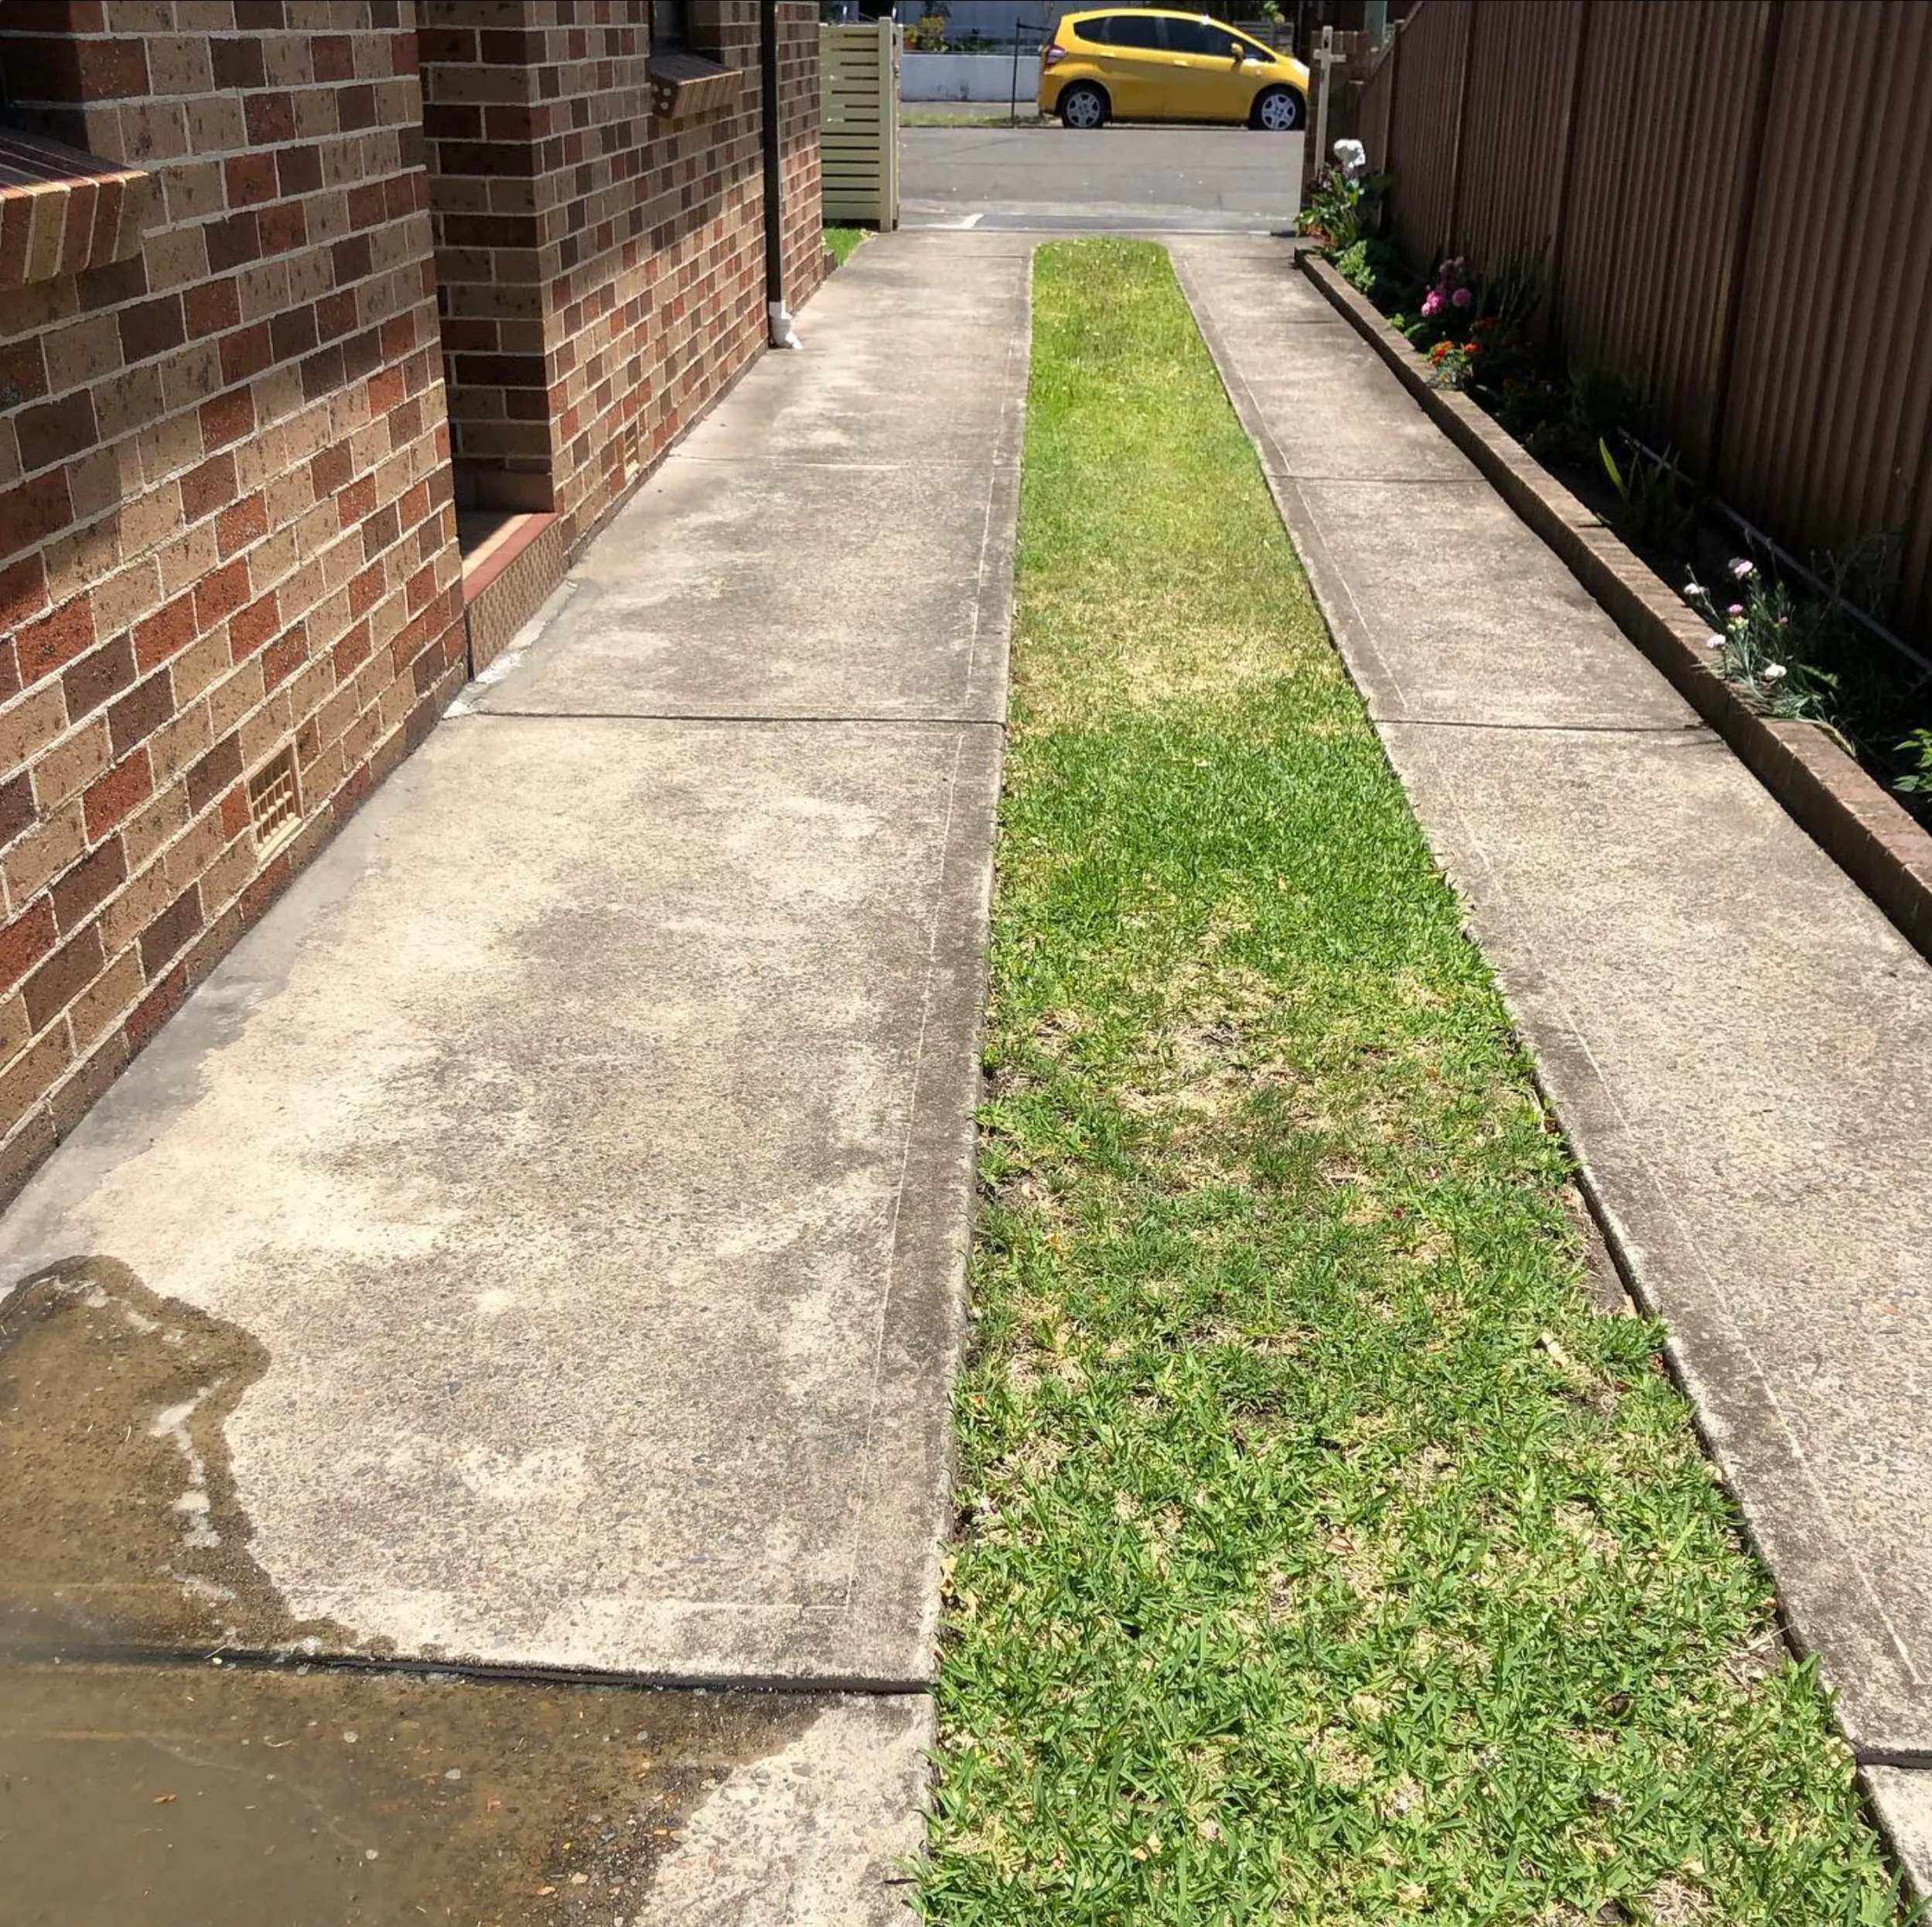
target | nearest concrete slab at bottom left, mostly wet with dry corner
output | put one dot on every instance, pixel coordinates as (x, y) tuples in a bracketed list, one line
[(231, 1797)]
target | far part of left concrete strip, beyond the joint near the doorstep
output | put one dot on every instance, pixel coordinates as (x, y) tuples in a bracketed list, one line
[(838, 542)]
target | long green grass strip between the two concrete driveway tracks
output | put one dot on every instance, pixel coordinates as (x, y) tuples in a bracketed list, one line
[(1324, 1555)]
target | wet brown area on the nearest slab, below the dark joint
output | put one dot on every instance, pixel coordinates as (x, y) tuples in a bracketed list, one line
[(250, 1797)]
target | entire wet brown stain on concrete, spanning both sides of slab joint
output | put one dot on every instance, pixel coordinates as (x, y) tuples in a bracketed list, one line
[(188, 1791)]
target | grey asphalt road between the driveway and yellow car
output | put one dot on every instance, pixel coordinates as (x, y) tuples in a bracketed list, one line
[(1197, 181)]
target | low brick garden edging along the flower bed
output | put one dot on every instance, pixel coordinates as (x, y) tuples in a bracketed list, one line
[(1852, 819)]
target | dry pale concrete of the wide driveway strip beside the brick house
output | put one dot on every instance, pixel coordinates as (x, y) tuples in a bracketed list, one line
[(575, 1166)]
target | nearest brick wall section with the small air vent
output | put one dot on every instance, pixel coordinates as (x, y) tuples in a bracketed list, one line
[(225, 507)]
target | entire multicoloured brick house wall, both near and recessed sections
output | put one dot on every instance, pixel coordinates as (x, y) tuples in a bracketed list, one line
[(227, 525)]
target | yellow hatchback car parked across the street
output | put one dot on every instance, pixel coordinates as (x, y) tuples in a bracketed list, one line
[(1145, 65)]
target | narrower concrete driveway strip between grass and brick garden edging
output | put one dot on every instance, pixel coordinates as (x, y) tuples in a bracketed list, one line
[(1738, 1043)]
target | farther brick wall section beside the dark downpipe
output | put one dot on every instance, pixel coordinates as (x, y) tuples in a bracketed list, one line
[(648, 239)]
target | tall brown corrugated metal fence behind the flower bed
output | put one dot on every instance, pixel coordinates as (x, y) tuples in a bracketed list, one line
[(1728, 204)]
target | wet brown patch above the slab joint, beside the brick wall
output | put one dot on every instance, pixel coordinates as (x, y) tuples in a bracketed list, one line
[(119, 1510)]
